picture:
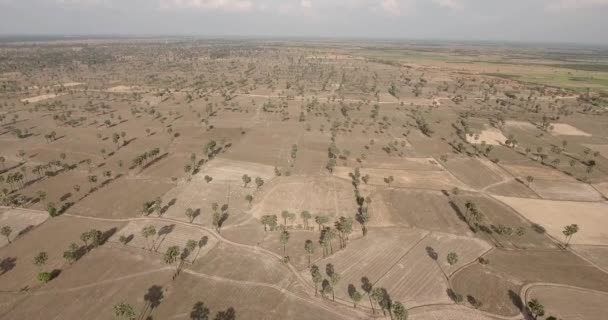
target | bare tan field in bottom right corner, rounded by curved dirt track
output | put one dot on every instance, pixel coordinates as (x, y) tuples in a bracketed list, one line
[(571, 303)]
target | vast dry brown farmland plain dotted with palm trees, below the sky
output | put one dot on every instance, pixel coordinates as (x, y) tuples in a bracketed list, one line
[(210, 140)]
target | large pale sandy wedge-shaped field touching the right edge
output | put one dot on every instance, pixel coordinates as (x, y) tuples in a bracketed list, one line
[(591, 217)]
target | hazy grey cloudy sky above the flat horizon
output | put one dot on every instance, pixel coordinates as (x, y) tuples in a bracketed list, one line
[(582, 21)]
